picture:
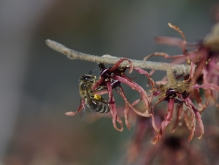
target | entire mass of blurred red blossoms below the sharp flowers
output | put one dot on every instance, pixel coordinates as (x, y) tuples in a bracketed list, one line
[(171, 149)]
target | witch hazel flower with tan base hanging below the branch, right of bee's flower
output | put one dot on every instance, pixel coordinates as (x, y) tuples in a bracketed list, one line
[(177, 92)]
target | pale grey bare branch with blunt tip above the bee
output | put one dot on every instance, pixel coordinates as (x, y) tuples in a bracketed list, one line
[(108, 59)]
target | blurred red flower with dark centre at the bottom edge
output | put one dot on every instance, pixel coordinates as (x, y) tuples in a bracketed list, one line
[(172, 150)]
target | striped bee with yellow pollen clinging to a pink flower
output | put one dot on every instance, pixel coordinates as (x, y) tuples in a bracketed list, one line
[(94, 101)]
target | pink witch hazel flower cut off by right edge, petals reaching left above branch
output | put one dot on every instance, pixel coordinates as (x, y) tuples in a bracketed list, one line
[(204, 62)]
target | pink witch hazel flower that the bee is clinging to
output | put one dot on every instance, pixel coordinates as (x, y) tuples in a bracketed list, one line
[(111, 79)]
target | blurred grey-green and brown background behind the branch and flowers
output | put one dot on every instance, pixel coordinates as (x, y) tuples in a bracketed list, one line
[(38, 85)]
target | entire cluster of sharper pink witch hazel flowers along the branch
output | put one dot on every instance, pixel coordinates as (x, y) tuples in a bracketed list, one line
[(178, 91)]
